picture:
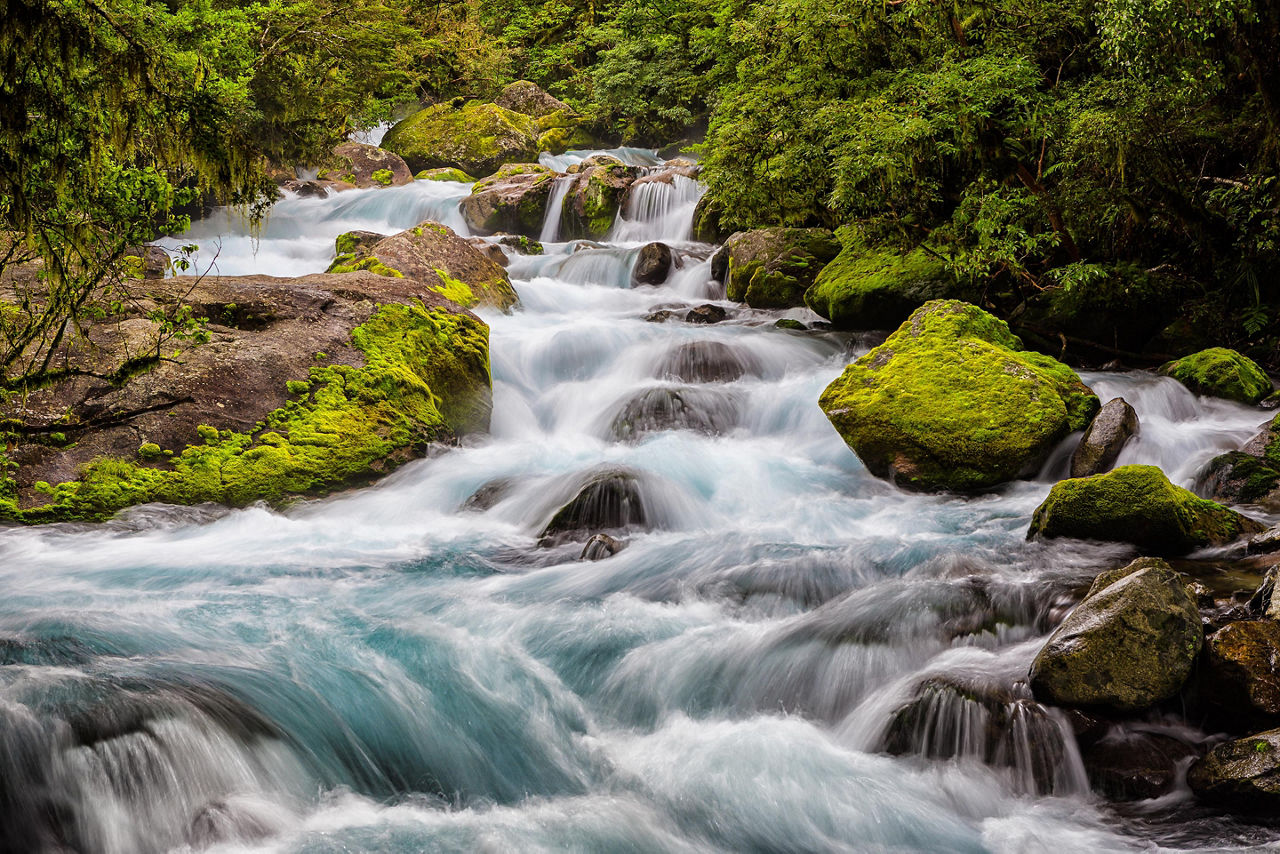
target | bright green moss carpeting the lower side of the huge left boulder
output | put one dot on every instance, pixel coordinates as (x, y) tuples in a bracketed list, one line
[(426, 378)]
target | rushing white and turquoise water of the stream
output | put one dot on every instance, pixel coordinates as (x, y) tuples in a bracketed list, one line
[(392, 672)]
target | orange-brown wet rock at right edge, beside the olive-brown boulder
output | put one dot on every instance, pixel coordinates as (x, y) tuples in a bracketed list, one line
[(1241, 677)]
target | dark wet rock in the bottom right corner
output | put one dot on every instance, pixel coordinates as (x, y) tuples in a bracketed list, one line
[(1242, 775)]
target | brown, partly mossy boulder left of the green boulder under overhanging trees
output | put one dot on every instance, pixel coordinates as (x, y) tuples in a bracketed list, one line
[(772, 268)]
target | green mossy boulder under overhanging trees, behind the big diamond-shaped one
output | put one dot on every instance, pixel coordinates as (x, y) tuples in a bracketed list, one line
[(868, 289)]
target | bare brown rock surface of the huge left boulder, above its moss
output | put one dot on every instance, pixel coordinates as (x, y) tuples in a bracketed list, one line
[(263, 334)]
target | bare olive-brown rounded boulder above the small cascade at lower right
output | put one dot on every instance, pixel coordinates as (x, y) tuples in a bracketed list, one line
[(1130, 645)]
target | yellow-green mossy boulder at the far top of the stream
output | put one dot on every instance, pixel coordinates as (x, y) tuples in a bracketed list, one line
[(473, 138)]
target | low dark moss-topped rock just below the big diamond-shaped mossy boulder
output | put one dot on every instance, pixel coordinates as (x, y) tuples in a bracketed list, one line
[(1137, 505)]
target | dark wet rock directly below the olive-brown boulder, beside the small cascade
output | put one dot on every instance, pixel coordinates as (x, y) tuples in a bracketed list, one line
[(1128, 765)]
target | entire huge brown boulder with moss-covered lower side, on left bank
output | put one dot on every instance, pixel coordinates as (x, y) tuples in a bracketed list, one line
[(304, 386)]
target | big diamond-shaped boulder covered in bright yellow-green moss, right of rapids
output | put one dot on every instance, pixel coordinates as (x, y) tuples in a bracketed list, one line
[(952, 401)]
